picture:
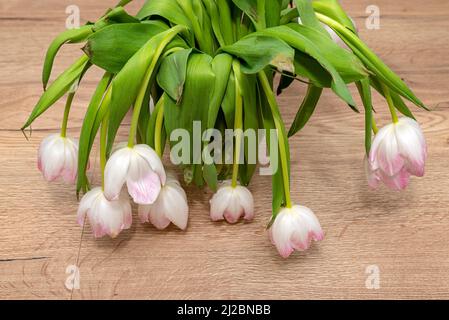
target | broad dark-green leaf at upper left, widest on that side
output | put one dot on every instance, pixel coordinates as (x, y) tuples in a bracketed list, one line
[(124, 40)]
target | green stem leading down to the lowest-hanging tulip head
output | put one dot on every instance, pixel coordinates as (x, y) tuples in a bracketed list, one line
[(281, 135)]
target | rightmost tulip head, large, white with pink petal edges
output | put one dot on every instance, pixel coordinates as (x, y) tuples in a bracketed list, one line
[(399, 150)]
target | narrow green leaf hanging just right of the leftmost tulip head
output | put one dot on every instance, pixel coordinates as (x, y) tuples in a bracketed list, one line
[(89, 131)]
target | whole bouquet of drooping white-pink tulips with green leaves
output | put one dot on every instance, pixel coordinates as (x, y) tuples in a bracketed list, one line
[(198, 77)]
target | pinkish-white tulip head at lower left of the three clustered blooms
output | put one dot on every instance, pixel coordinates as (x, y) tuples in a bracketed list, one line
[(106, 217)]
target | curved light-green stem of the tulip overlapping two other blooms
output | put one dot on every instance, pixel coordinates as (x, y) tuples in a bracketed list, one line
[(142, 92)]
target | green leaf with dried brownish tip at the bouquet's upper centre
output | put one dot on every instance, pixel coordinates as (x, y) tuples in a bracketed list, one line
[(259, 51)]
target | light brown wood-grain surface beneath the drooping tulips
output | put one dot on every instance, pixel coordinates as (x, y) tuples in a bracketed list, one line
[(406, 235)]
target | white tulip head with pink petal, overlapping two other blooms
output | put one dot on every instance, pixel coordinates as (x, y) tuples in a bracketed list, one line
[(142, 170)]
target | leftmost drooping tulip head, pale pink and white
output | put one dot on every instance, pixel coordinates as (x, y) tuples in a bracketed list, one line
[(58, 157)]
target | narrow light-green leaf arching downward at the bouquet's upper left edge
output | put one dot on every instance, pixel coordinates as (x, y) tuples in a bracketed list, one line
[(69, 36)]
